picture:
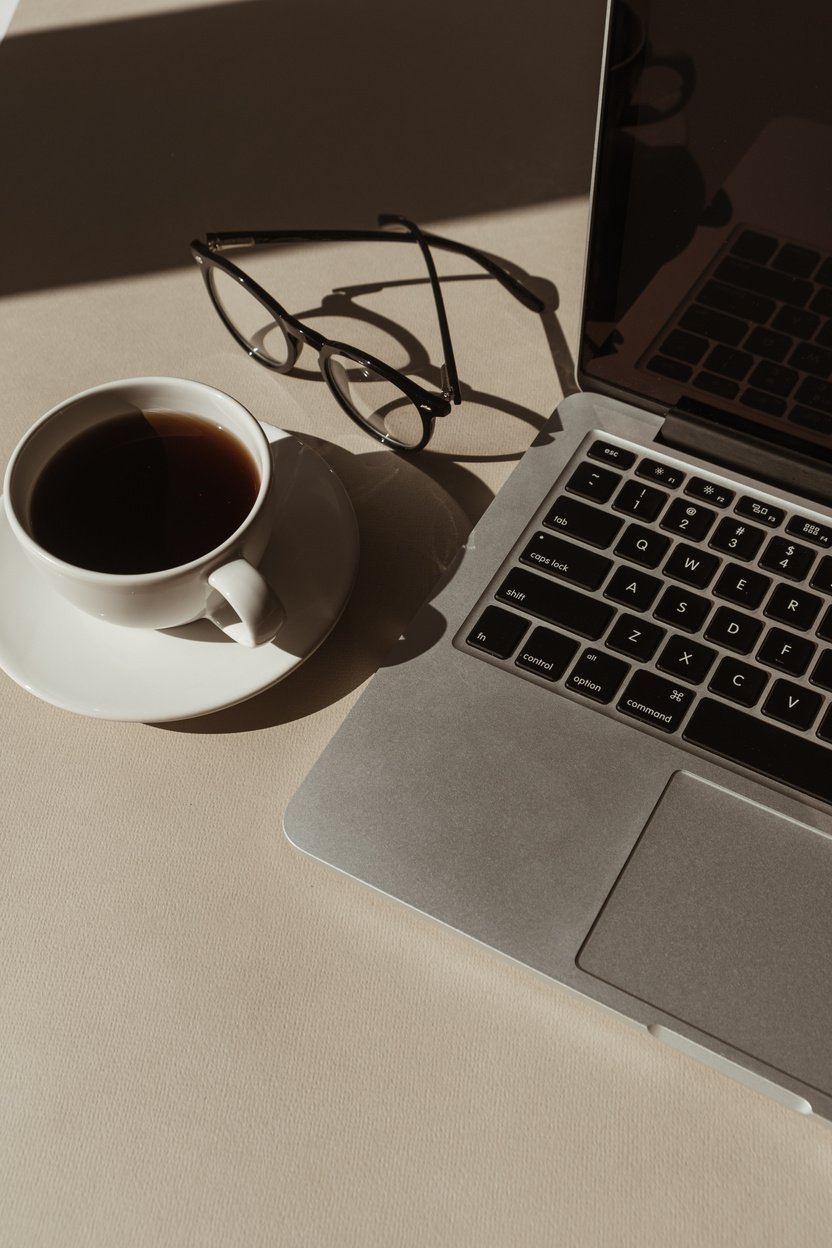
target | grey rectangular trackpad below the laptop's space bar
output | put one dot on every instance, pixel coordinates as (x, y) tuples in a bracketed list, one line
[(722, 919)]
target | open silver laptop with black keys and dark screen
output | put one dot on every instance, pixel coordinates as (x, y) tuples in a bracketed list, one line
[(616, 764)]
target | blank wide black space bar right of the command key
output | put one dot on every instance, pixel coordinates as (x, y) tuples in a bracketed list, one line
[(762, 747)]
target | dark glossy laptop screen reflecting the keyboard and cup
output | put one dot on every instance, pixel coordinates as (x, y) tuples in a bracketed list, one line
[(709, 284)]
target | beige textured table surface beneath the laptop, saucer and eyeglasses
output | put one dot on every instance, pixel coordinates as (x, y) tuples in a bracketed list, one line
[(206, 1039)]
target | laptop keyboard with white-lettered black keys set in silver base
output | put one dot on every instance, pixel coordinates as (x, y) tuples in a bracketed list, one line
[(689, 607)]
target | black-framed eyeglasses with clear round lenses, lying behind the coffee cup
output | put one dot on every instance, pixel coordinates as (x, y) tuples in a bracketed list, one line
[(384, 401)]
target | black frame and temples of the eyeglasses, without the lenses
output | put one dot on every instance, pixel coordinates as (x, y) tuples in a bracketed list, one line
[(430, 405)]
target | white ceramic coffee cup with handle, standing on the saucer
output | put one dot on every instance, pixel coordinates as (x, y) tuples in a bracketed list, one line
[(223, 585)]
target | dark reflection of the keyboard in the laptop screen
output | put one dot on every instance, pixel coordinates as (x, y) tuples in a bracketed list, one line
[(759, 331)]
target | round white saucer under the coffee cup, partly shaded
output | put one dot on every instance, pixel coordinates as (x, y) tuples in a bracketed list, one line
[(83, 665)]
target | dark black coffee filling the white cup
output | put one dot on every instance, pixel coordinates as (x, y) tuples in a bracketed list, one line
[(144, 492)]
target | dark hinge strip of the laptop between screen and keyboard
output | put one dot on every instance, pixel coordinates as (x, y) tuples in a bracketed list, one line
[(781, 467)]
